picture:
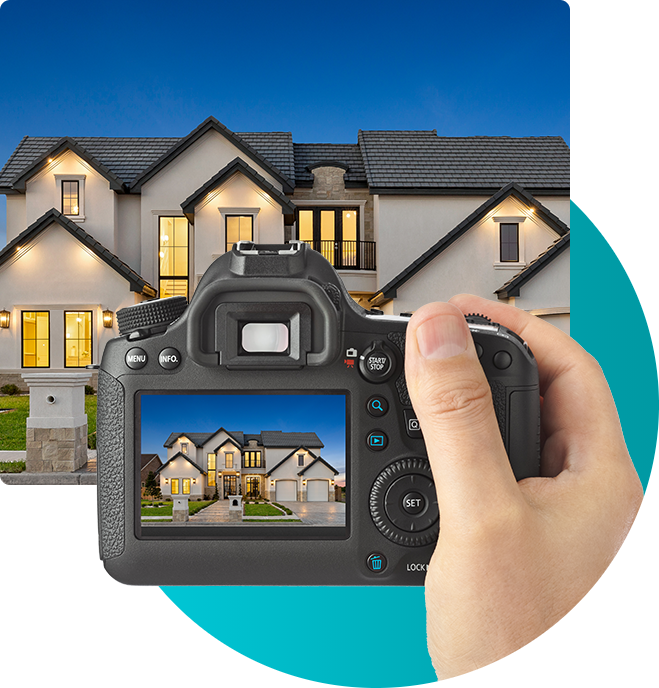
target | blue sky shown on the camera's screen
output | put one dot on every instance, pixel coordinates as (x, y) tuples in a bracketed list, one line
[(324, 414)]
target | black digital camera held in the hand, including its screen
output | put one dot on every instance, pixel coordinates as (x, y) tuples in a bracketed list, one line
[(279, 405)]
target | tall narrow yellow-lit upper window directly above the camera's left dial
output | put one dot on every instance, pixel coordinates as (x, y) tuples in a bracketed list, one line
[(173, 256)]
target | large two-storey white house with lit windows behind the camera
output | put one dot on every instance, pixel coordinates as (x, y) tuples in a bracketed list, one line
[(95, 224)]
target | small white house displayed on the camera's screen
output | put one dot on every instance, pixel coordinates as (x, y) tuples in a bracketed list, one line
[(280, 466)]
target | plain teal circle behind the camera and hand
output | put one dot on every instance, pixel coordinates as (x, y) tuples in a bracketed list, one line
[(347, 646)]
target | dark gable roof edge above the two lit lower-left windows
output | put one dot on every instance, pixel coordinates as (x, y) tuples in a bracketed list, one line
[(137, 283)]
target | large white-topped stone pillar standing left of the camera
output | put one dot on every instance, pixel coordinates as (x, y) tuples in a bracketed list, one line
[(56, 429)]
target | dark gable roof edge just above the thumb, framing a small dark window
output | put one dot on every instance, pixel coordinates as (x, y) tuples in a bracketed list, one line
[(512, 189)]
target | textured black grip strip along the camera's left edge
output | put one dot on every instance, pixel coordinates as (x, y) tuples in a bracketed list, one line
[(110, 430)]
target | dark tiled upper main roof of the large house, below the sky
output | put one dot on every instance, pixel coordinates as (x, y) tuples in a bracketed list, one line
[(385, 161)]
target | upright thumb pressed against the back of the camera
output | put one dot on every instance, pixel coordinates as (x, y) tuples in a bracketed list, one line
[(453, 402)]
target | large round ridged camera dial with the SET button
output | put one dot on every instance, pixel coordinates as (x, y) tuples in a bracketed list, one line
[(403, 503)]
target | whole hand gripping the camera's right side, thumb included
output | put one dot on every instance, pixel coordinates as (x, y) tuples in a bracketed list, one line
[(513, 558)]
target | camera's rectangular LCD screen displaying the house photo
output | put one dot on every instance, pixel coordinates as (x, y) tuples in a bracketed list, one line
[(214, 464)]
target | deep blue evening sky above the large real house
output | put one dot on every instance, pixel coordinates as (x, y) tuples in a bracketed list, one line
[(320, 70)]
